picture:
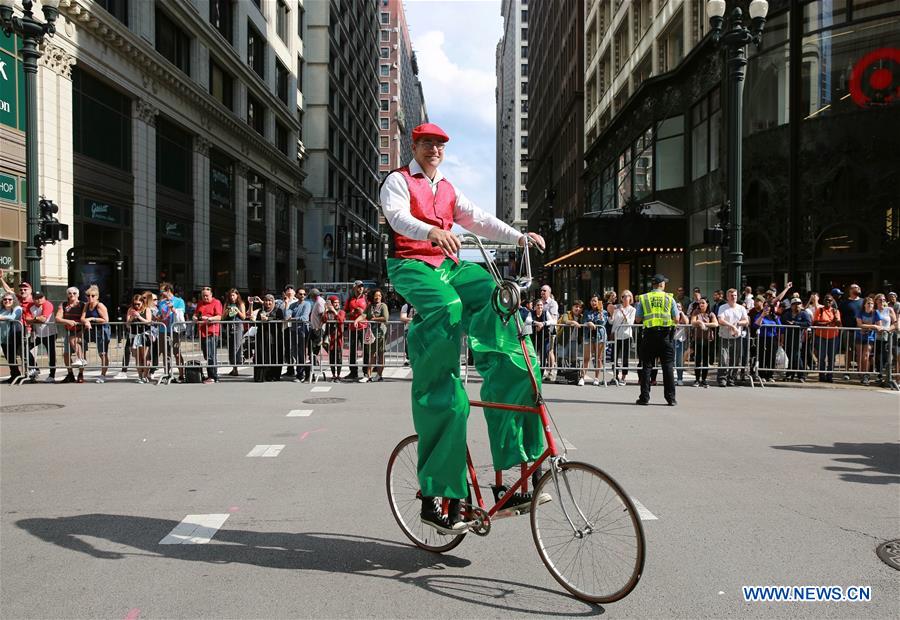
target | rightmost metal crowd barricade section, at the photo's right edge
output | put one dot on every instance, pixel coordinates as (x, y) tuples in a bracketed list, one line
[(793, 353)]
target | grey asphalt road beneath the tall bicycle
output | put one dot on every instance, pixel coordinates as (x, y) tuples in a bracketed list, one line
[(775, 486)]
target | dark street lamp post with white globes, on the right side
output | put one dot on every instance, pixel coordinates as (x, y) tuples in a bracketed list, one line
[(735, 39)]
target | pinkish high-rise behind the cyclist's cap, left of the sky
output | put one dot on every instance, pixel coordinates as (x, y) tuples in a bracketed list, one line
[(401, 100)]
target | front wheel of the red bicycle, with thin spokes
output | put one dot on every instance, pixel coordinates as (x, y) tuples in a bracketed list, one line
[(601, 559)]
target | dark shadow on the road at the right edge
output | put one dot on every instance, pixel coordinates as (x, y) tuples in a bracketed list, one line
[(879, 463)]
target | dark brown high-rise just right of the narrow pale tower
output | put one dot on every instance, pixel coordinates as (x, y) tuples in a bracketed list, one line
[(555, 125)]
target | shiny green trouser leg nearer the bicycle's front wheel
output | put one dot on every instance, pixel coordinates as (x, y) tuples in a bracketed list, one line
[(515, 437)]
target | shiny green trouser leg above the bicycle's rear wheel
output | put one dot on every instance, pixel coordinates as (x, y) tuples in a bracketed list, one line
[(440, 406)]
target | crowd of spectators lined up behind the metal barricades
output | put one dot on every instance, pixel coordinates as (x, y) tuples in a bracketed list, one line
[(731, 332)]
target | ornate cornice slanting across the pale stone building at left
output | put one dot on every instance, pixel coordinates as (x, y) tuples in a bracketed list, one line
[(157, 72)]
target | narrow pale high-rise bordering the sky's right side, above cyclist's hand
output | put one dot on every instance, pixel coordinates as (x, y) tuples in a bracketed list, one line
[(512, 115)]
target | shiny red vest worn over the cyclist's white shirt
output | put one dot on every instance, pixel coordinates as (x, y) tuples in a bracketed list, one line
[(435, 209)]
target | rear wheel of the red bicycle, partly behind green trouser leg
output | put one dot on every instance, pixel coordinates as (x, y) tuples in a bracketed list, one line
[(405, 499)]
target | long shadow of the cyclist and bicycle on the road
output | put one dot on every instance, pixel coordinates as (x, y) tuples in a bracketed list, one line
[(317, 551)]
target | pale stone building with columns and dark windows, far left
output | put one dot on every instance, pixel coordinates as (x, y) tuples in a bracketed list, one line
[(168, 135)]
